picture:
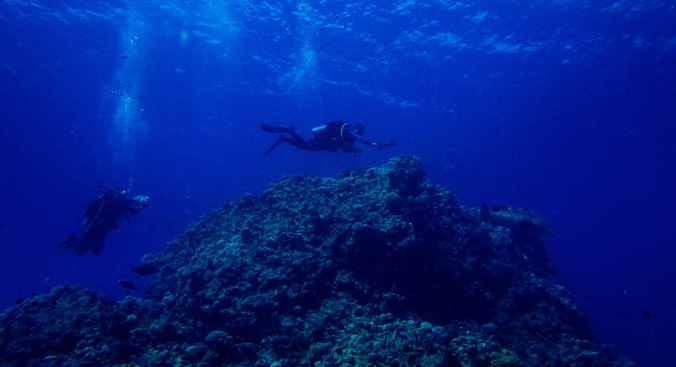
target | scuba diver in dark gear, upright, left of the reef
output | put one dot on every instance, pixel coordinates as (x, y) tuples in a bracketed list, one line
[(100, 216)]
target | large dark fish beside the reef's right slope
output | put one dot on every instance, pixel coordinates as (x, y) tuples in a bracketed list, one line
[(517, 219)]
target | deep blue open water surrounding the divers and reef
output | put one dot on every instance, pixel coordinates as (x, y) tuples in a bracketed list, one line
[(564, 107)]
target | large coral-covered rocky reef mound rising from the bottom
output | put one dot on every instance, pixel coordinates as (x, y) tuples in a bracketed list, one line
[(374, 267)]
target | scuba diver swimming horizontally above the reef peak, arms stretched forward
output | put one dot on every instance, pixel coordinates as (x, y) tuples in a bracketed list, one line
[(332, 136)]
